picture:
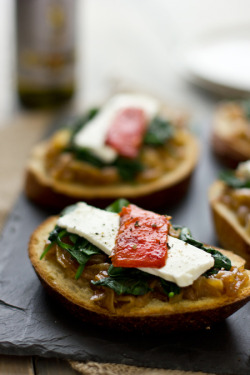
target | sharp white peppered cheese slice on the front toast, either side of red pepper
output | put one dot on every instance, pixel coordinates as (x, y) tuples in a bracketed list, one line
[(185, 263)]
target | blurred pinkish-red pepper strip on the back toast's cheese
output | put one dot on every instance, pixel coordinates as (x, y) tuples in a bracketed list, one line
[(126, 133)]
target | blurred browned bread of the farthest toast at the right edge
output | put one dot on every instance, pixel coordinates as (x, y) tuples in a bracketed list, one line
[(229, 147)]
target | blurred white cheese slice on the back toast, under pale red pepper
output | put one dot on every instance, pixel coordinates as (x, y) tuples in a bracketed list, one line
[(93, 134)]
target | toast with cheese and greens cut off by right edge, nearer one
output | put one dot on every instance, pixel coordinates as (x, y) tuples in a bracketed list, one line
[(230, 203)]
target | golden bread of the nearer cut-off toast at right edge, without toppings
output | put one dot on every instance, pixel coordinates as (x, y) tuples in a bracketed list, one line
[(230, 233)]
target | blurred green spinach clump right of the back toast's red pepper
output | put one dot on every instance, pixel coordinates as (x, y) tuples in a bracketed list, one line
[(159, 131)]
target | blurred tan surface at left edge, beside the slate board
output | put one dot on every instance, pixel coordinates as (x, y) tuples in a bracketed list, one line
[(20, 135)]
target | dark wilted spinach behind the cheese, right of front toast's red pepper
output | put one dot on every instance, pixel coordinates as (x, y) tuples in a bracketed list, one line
[(220, 260)]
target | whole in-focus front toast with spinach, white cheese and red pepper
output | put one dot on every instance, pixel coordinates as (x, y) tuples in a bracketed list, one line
[(131, 269)]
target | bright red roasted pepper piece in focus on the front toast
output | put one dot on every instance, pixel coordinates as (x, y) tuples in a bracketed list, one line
[(141, 240)]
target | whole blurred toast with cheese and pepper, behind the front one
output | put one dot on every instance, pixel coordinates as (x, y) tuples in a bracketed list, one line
[(131, 147)]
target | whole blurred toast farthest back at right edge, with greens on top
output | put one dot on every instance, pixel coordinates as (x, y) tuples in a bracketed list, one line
[(231, 132)]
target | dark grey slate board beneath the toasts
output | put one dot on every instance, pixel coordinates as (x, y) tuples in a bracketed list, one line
[(32, 324)]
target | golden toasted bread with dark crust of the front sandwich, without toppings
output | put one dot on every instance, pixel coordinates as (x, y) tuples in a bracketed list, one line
[(155, 316)]
